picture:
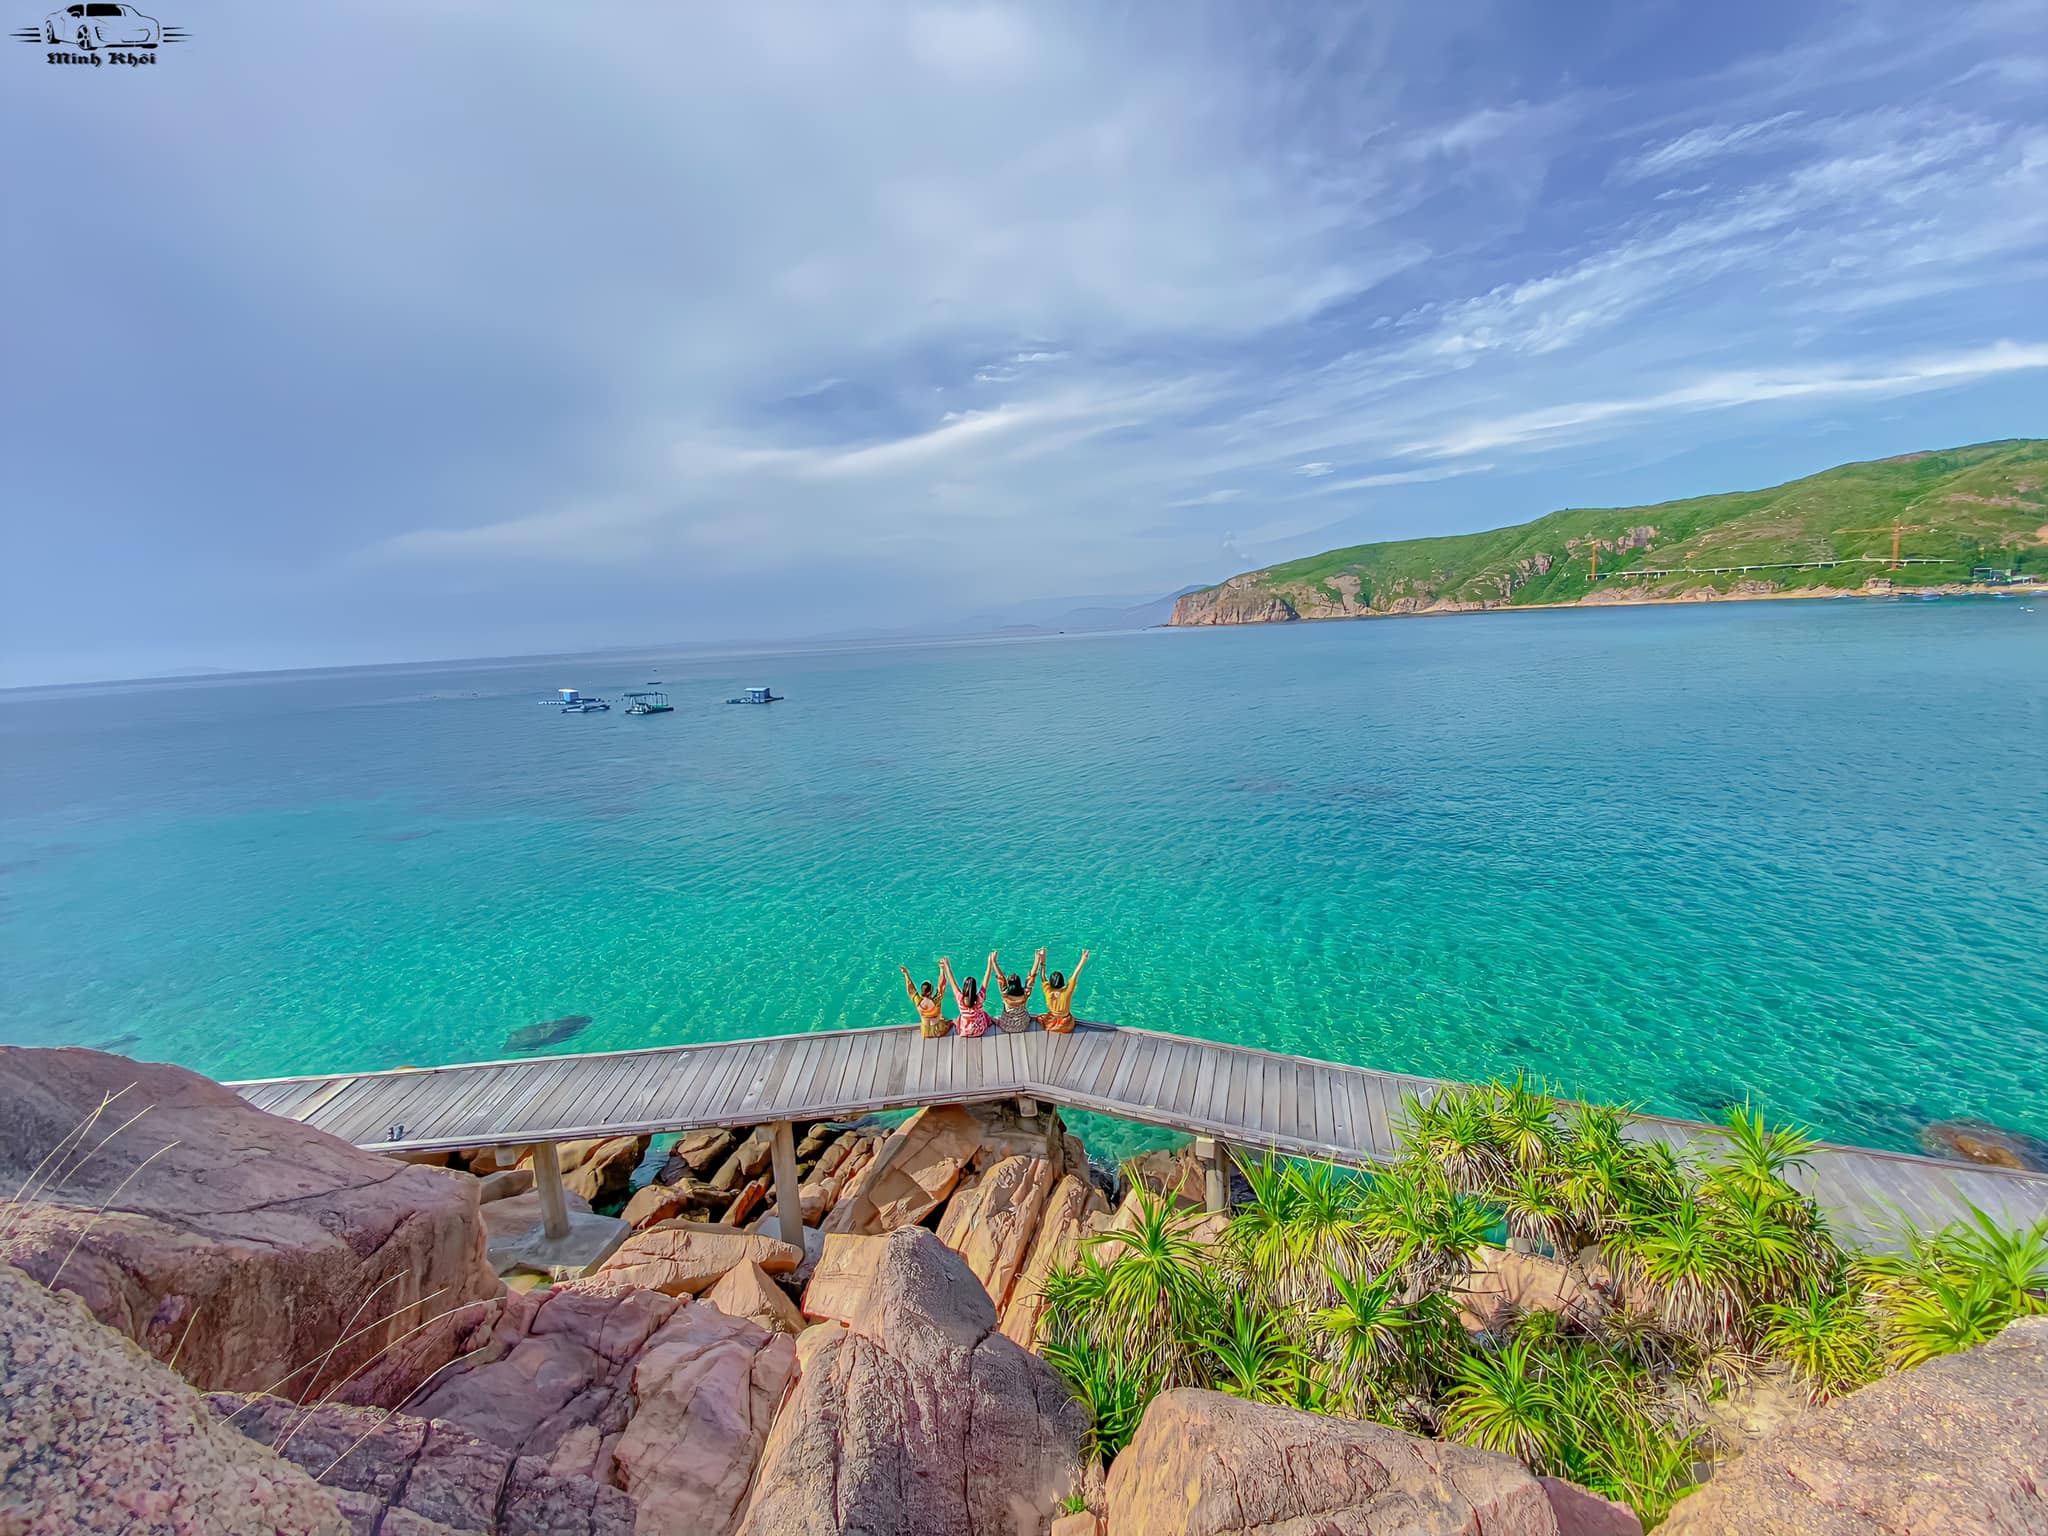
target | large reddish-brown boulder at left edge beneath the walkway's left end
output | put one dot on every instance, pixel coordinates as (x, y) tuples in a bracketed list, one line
[(251, 1244)]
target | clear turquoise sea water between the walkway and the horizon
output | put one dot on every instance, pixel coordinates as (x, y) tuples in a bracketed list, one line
[(1678, 855)]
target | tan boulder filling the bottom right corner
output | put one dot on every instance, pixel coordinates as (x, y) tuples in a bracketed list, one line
[(1955, 1447)]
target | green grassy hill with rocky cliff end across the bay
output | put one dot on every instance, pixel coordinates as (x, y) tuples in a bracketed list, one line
[(1961, 509)]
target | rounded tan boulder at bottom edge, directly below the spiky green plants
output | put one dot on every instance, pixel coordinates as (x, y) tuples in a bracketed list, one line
[(1209, 1465)]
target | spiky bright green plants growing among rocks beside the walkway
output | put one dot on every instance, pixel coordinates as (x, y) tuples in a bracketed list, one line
[(1353, 1293)]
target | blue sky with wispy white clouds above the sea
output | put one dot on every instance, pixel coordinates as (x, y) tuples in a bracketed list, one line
[(374, 333)]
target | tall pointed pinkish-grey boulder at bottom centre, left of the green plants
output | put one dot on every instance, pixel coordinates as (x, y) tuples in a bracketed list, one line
[(919, 1418)]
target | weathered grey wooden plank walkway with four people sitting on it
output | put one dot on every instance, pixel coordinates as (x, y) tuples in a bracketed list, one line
[(1238, 1095)]
